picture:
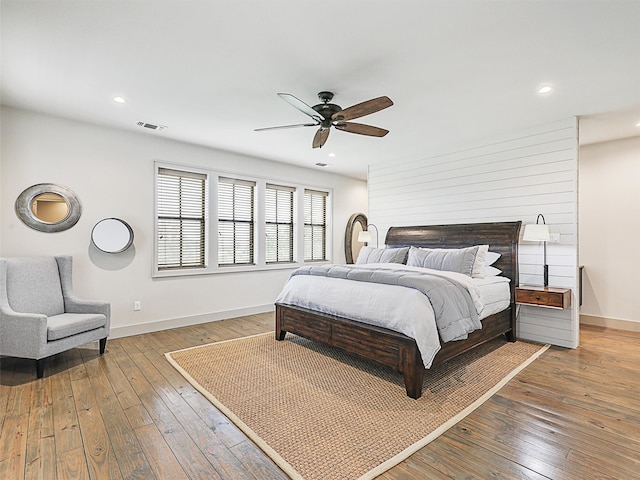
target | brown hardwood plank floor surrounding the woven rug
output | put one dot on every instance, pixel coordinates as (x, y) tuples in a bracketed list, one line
[(572, 414)]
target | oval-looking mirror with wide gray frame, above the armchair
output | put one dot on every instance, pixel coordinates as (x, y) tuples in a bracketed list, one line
[(48, 207)]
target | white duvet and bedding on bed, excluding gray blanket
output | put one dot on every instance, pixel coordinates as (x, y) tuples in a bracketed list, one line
[(397, 308)]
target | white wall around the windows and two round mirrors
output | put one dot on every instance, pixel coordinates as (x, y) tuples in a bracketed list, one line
[(111, 171)]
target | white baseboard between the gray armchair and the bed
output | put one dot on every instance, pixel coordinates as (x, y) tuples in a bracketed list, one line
[(148, 327)]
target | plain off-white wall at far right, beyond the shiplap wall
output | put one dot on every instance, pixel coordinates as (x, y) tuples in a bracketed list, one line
[(609, 233)]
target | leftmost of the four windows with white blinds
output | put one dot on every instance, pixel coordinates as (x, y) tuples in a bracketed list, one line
[(181, 219)]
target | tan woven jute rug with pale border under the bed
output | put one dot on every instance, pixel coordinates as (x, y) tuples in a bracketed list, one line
[(322, 414)]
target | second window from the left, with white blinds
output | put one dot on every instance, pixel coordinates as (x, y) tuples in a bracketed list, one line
[(236, 226)]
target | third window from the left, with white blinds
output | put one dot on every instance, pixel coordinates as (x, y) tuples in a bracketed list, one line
[(279, 223)]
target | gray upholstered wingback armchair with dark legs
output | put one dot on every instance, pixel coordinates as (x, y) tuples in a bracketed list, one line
[(39, 316)]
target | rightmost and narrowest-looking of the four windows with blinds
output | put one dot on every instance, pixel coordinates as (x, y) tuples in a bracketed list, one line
[(315, 225)]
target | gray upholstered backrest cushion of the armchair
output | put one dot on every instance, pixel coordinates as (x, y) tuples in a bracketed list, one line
[(33, 285)]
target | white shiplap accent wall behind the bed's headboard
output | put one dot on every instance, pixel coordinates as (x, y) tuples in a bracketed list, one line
[(515, 177)]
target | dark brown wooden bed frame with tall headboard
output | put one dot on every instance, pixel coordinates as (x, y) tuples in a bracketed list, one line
[(394, 349)]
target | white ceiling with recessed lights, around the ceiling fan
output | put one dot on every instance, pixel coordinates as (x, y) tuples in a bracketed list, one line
[(457, 70)]
